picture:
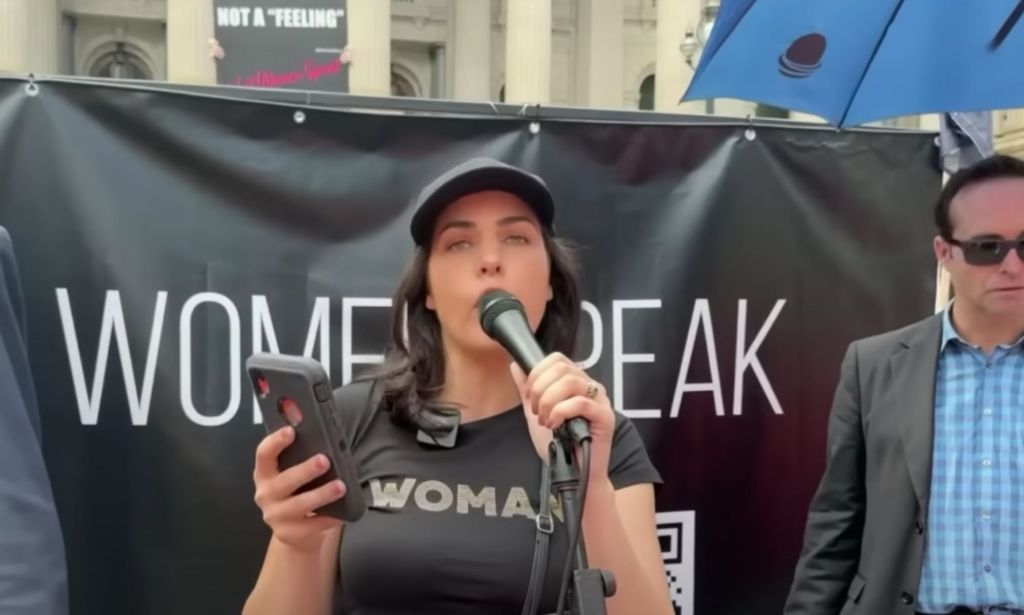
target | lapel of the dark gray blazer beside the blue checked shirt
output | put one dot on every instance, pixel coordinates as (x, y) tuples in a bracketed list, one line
[(914, 368)]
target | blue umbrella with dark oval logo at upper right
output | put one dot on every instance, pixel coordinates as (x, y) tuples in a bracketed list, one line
[(854, 62)]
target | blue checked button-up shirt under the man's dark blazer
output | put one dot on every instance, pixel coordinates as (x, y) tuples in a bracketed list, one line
[(974, 550)]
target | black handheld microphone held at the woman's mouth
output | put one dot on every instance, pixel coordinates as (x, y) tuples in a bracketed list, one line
[(504, 320)]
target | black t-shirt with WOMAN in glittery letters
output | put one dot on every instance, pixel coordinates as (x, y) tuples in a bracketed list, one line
[(452, 531)]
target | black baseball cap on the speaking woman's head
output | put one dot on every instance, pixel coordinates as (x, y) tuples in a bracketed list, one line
[(479, 175)]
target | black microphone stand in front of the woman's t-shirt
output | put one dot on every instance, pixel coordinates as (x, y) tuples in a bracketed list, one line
[(589, 587)]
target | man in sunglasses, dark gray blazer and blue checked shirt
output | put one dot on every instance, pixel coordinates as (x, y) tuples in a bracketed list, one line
[(921, 509)]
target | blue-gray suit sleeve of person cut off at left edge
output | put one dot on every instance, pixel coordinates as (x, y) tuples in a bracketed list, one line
[(33, 572)]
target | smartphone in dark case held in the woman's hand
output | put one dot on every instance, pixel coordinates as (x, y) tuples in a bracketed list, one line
[(296, 391)]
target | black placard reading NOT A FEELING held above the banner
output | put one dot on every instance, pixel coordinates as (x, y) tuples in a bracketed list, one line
[(269, 45)]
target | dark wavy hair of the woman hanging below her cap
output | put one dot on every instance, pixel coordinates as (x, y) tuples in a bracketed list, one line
[(413, 374)]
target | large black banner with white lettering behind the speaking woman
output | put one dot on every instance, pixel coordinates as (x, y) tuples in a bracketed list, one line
[(163, 238)]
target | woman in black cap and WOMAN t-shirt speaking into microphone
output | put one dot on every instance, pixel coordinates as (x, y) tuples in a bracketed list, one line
[(452, 523)]
